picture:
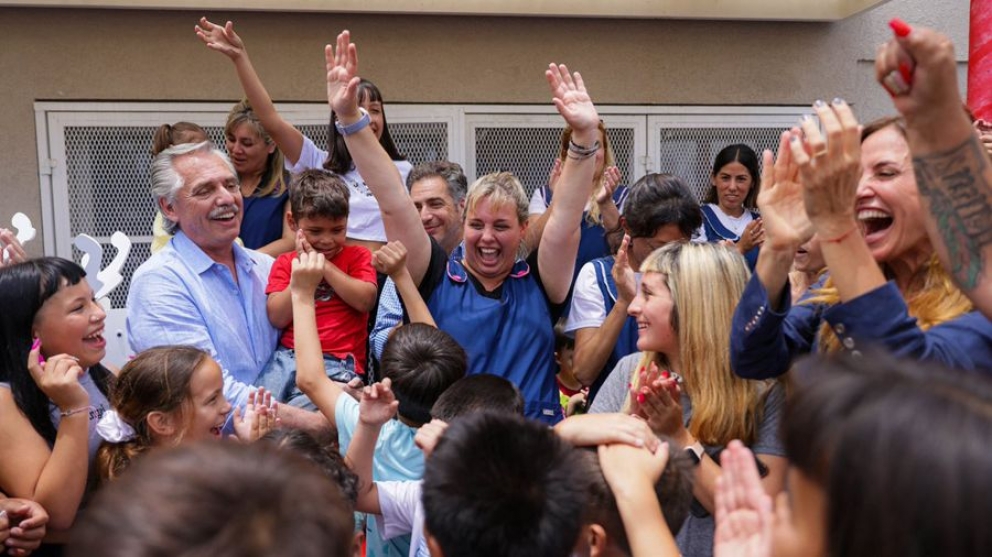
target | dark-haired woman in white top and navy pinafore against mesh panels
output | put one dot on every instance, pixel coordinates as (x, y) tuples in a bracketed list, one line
[(728, 210)]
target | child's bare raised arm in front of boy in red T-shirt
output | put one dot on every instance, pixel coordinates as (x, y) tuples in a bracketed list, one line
[(311, 376)]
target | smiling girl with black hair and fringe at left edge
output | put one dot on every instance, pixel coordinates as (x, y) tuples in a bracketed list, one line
[(52, 385)]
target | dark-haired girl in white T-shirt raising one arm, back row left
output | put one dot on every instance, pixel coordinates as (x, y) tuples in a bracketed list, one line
[(364, 221)]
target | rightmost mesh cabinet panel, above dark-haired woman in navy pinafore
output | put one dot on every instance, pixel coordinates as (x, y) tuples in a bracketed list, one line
[(689, 152)]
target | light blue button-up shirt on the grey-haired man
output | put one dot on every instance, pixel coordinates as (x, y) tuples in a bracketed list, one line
[(182, 296)]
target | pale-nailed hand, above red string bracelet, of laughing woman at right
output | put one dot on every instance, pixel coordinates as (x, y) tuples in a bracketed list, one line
[(830, 168)]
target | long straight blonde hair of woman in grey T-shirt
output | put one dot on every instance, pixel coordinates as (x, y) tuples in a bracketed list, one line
[(706, 281)]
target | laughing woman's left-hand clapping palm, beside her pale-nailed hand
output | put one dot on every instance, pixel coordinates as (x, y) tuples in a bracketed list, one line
[(783, 212)]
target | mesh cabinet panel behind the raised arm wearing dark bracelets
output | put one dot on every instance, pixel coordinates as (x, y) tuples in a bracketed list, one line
[(529, 153)]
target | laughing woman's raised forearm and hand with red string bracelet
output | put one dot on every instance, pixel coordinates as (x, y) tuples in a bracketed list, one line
[(831, 168)]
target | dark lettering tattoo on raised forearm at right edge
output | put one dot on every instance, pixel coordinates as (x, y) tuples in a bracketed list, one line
[(958, 185)]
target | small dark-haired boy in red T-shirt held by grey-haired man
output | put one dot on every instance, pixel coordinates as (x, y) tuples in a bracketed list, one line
[(319, 215)]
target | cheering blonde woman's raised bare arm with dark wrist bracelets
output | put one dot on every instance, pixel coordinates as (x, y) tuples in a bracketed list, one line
[(560, 241)]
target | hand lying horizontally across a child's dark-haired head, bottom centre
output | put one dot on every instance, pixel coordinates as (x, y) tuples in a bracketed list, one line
[(590, 430)]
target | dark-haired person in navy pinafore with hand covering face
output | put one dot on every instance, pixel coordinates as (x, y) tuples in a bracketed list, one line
[(660, 209)]
